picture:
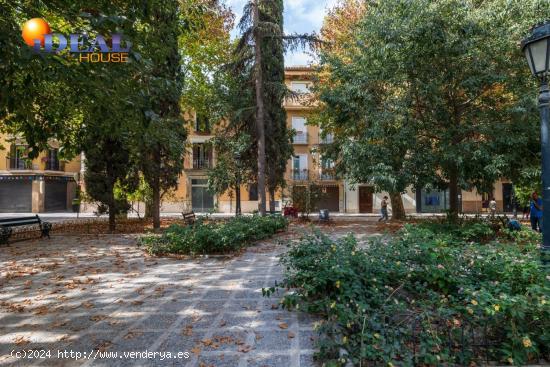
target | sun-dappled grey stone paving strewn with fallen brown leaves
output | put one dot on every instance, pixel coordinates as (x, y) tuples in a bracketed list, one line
[(102, 294)]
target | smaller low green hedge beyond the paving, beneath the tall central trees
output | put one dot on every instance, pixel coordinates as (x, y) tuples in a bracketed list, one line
[(213, 237)]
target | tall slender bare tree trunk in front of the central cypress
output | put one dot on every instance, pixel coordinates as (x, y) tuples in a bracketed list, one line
[(259, 110)]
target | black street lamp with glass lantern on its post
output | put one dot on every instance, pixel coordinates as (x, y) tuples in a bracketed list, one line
[(536, 48)]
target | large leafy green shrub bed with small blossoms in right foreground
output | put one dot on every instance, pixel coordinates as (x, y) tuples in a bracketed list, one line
[(429, 296)]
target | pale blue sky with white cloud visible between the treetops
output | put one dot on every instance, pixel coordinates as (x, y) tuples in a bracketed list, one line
[(300, 16)]
